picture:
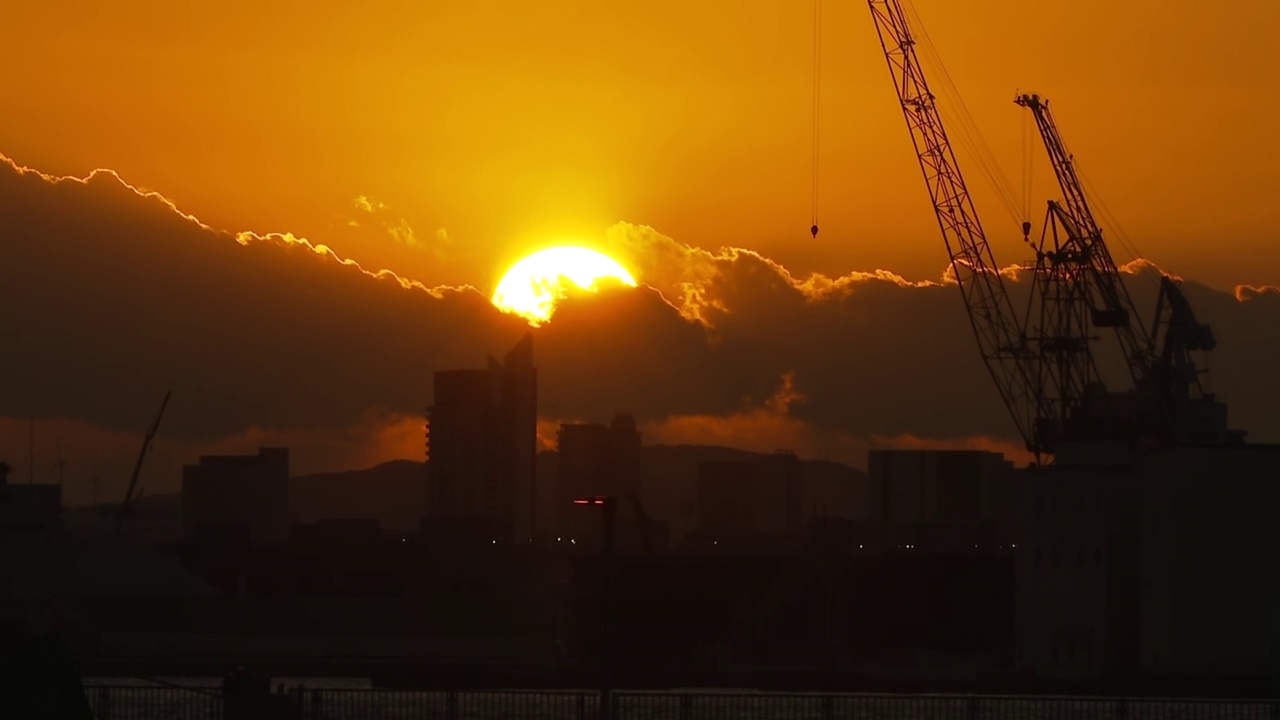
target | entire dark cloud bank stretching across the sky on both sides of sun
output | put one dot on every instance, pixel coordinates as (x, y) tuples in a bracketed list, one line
[(112, 297)]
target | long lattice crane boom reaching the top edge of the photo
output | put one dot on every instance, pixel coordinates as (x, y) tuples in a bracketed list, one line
[(1004, 347)]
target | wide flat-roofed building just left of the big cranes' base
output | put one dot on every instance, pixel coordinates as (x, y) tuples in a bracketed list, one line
[(940, 500)]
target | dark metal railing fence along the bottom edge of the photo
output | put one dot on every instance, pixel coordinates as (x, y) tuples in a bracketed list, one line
[(205, 704)]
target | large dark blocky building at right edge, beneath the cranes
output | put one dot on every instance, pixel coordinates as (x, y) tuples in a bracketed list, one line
[(1158, 564)]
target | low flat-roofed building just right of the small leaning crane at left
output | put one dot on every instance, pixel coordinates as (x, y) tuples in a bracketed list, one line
[(250, 493)]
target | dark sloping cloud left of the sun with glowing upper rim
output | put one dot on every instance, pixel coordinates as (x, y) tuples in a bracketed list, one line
[(124, 298)]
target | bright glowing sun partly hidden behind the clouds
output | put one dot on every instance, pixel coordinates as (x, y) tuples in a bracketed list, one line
[(532, 286)]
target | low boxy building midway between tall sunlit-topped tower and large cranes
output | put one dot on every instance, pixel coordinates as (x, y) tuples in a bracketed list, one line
[(751, 498)]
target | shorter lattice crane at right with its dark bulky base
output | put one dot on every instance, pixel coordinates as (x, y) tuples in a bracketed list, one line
[(1173, 404)]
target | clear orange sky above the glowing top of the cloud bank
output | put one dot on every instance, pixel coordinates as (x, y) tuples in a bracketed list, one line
[(514, 125)]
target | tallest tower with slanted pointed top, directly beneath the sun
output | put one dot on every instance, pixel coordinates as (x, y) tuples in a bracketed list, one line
[(483, 450)]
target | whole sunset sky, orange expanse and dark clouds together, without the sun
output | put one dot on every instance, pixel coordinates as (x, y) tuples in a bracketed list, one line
[(444, 142)]
